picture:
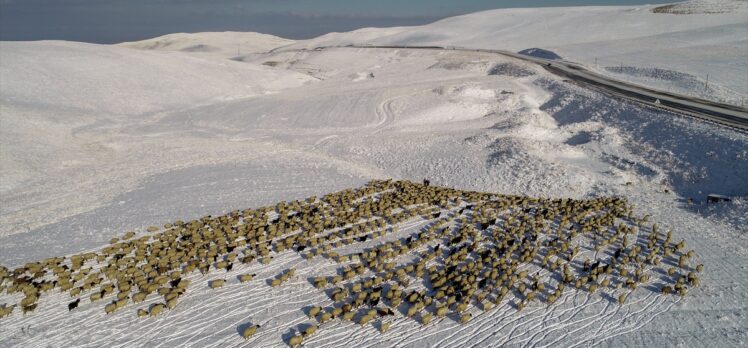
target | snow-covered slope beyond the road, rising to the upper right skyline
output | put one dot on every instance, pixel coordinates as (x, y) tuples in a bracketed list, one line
[(711, 39)]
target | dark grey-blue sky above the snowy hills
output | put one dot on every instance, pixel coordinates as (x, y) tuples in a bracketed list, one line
[(110, 21)]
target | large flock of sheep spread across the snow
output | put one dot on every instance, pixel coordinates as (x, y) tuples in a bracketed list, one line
[(478, 251)]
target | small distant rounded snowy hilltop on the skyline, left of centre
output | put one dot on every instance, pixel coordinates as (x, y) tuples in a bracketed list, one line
[(224, 44)]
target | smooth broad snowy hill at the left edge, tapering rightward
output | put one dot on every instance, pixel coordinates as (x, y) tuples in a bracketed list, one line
[(124, 81)]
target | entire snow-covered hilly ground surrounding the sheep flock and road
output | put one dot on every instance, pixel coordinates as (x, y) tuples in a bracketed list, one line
[(97, 140)]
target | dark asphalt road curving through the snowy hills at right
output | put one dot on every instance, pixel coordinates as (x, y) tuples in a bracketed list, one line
[(723, 114)]
